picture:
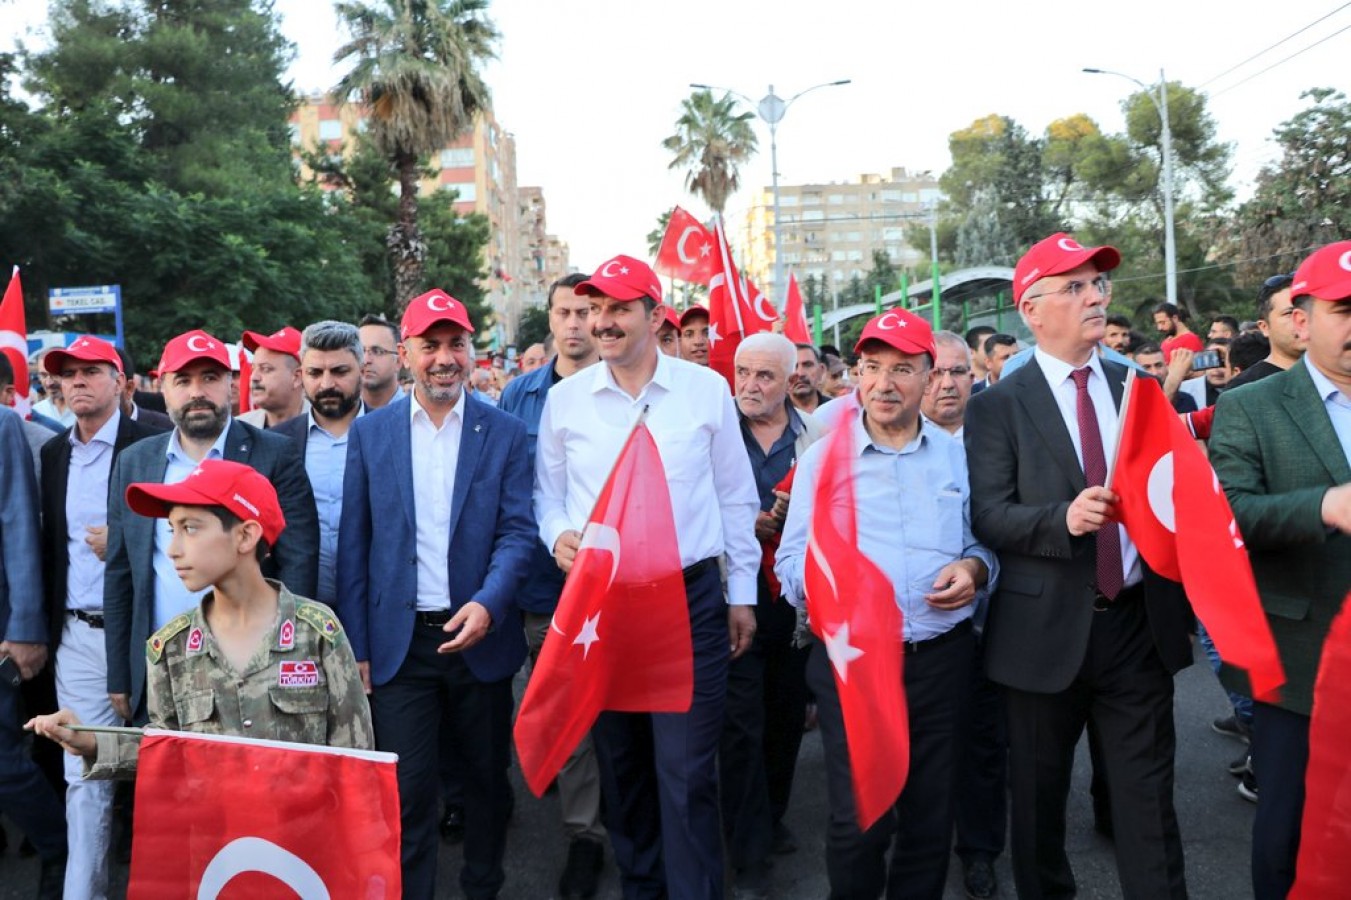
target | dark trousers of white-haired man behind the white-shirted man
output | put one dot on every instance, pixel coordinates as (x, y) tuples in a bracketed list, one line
[(763, 732)]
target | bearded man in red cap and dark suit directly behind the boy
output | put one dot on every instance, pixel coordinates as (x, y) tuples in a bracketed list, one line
[(143, 591)]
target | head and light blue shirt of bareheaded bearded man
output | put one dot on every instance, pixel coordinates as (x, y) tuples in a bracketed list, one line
[(330, 370)]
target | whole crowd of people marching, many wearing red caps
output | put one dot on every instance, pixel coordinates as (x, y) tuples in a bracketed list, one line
[(399, 522)]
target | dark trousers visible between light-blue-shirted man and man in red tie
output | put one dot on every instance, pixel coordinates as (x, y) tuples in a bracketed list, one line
[(983, 767)]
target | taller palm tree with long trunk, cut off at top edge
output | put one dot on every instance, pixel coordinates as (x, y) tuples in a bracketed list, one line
[(417, 74)]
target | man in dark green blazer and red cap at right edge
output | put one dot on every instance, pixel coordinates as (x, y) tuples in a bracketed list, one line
[(1283, 451)]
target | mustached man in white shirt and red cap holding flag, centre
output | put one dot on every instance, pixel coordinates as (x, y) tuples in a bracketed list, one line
[(659, 772)]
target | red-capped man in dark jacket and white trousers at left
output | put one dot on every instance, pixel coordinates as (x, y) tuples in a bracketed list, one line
[(76, 470)]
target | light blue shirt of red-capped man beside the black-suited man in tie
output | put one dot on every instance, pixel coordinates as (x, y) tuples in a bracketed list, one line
[(914, 513)]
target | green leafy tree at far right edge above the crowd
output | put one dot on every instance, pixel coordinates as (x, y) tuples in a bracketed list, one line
[(1303, 201)]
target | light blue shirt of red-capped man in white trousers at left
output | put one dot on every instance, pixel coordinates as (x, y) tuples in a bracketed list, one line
[(87, 506)]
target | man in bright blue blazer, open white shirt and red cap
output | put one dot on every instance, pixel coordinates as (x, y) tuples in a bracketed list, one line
[(437, 533)]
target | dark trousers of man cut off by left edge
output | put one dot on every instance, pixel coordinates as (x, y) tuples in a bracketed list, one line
[(26, 795)]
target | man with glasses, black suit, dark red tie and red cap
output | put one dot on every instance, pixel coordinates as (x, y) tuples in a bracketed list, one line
[(1080, 630)]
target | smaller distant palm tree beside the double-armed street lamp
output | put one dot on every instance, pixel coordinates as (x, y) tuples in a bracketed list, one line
[(711, 143)]
